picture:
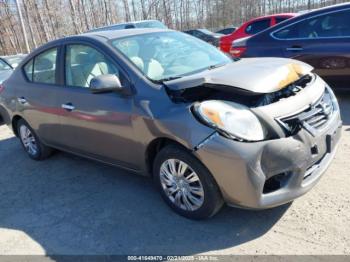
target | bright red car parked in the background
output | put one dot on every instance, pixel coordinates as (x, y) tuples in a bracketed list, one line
[(252, 27)]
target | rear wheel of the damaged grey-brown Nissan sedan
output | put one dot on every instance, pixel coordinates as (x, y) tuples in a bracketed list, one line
[(31, 144)]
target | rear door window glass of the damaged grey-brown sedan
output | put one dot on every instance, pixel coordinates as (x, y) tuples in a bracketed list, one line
[(42, 68)]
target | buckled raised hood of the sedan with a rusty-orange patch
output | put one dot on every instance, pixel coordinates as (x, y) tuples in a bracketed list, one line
[(257, 75)]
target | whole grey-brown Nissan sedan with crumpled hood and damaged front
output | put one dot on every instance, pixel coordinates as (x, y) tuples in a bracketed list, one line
[(254, 133)]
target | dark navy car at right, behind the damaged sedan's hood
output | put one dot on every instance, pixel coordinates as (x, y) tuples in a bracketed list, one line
[(320, 38)]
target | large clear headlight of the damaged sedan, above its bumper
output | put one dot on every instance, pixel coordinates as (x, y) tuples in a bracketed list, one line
[(232, 119)]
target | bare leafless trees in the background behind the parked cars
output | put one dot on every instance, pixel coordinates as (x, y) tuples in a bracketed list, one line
[(45, 20)]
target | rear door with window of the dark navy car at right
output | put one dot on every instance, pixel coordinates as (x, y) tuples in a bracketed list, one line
[(323, 42)]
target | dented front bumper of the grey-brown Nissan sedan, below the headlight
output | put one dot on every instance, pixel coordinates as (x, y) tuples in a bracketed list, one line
[(270, 173)]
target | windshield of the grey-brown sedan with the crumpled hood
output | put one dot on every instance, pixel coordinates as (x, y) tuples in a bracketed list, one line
[(166, 55)]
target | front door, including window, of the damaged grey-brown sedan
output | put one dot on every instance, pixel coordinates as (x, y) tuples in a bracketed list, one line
[(95, 125)]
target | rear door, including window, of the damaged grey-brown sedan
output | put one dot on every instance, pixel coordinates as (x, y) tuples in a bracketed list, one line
[(36, 97)]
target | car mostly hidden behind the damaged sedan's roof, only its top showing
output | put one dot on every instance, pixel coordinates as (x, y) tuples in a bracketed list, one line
[(130, 25)]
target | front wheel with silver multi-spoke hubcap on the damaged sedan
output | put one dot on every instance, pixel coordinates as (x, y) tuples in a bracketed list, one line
[(202, 193)]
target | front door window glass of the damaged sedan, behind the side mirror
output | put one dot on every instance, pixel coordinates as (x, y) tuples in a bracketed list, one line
[(83, 63)]
